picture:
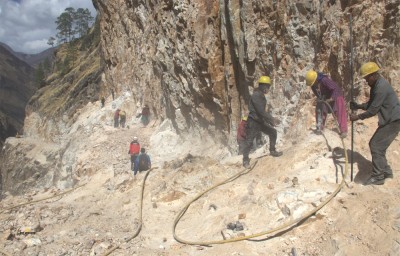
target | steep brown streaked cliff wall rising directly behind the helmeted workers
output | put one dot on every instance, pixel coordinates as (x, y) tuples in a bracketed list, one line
[(196, 62)]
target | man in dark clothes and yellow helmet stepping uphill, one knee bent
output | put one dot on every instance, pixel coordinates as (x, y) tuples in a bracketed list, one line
[(260, 120)]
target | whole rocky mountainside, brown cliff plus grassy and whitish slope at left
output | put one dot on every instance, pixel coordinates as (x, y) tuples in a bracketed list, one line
[(196, 63)]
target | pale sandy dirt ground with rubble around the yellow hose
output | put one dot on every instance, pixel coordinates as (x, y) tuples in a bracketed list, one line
[(92, 219)]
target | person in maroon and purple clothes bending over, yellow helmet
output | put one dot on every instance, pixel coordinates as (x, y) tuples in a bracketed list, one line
[(327, 90)]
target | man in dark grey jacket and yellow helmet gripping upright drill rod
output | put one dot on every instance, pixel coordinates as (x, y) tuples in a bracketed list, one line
[(383, 101)]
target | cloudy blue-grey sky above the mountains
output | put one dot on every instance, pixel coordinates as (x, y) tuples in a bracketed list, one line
[(26, 25)]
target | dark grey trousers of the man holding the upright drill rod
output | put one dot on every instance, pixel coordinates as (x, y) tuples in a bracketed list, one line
[(379, 143)]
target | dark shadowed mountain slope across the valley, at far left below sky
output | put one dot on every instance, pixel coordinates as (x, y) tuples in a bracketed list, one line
[(16, 88)]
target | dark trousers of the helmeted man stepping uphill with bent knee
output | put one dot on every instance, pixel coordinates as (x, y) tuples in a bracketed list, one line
[(253, 129)]
